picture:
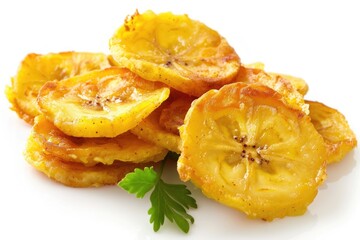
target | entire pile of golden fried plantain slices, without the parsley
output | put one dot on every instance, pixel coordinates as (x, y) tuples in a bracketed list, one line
[(249, 141)]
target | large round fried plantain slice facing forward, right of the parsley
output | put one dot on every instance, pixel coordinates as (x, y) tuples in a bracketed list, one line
[(246, 148)]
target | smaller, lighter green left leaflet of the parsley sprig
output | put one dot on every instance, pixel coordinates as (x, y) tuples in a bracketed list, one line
[(139, 182)]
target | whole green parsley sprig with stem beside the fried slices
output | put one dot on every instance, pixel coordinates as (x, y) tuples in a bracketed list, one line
[(167, 200)]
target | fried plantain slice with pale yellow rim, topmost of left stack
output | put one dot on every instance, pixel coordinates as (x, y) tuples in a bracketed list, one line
[(102, 103)]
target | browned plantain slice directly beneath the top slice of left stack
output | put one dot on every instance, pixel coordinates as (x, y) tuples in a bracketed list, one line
[(90, 151)]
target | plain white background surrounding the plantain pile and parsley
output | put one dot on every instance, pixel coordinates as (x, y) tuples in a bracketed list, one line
[(316, 40)]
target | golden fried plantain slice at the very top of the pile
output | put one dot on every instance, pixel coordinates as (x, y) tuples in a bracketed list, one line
[(183, 53)]
